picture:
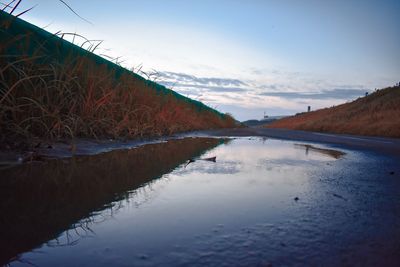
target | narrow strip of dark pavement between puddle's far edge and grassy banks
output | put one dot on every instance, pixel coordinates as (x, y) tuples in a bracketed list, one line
[(87, 147)]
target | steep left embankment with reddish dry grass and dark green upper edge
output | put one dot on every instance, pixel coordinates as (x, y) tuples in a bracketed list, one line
[(52, 89)]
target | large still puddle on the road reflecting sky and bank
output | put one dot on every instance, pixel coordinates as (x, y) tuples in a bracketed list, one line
[(262, 203)]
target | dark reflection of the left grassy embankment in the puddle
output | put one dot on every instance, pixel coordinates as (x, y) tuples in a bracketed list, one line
[(39, 201)]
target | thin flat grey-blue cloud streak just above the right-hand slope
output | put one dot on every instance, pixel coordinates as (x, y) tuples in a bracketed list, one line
[(324, 94)]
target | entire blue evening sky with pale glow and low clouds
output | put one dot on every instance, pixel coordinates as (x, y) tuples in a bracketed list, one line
[(243, 57)]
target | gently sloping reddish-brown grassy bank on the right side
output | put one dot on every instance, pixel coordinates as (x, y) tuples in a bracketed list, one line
[(377, 114)]
